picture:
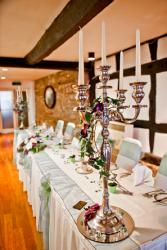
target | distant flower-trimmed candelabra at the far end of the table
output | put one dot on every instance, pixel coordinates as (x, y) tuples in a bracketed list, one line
[(20, 108)]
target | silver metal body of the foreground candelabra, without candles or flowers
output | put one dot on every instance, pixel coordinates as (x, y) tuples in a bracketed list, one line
[(110, 224)]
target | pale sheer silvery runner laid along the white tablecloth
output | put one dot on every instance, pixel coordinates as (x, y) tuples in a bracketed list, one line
[(71, 193)]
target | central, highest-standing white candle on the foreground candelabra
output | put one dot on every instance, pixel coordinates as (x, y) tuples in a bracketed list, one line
[(103, 45)]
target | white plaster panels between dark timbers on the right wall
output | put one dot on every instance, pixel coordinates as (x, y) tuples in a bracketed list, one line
[(160, 141)]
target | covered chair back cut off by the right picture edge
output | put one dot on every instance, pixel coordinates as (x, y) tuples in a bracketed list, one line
[(161, 177)]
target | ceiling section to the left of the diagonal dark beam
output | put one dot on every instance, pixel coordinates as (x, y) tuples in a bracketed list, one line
[(23, 22)]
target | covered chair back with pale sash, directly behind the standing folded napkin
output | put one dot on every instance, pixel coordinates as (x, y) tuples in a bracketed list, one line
[(129, 154)]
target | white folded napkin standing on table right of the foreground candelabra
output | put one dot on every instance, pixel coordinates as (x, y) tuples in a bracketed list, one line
[(143, 174)]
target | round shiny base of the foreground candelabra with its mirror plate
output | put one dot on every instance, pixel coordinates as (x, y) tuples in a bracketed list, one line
[(114, 227)]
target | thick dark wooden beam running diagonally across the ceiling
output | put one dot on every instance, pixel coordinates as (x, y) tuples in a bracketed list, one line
[(74, 15)]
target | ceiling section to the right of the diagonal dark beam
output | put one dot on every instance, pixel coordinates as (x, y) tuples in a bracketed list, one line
[(122, 18)]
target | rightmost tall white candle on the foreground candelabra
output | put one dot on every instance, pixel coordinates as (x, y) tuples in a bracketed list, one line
[(138, 63)]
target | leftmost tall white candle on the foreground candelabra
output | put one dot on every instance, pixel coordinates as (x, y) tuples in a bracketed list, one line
[(81, 60)]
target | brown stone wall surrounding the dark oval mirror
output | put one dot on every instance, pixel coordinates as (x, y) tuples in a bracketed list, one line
[(62, 82)]
